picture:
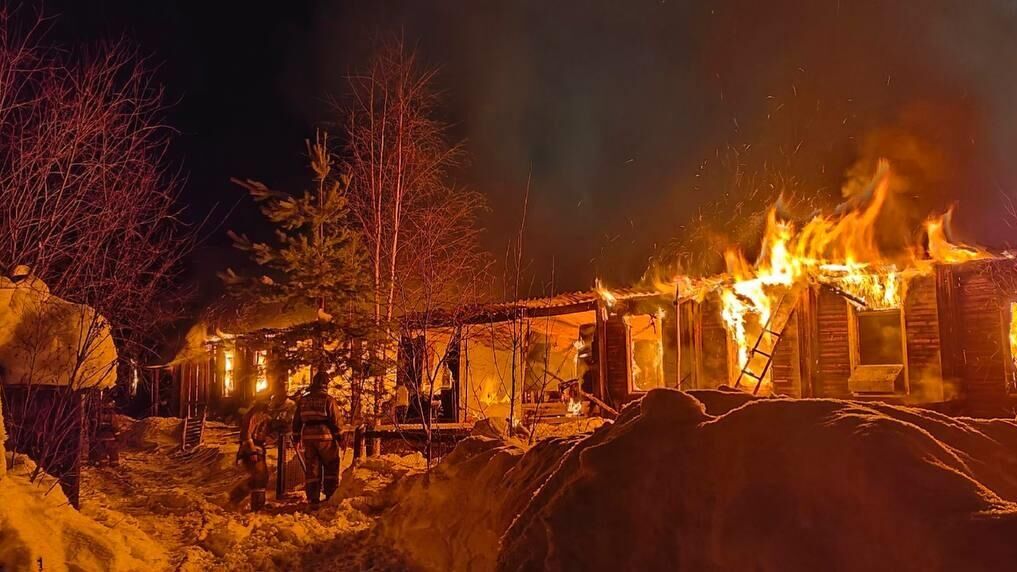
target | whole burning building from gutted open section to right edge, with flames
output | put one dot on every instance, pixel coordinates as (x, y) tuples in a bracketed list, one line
[(821, 313)]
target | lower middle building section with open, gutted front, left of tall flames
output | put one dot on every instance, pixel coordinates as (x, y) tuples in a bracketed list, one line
[(557, 357)]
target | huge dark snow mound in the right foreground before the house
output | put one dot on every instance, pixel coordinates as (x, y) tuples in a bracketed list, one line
[(773, 485)]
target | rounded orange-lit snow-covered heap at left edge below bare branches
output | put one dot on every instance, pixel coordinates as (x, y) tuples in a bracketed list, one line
[(46, 340)]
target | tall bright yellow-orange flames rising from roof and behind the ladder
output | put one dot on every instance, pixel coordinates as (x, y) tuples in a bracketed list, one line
[(839, 251)]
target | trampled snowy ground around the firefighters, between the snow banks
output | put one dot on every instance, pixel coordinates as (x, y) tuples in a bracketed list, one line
[(183, 504)]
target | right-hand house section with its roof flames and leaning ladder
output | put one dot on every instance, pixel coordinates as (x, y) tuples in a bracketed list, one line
[(824, 313)]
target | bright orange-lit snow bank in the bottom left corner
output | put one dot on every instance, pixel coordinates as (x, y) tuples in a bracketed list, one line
[(40, 531)]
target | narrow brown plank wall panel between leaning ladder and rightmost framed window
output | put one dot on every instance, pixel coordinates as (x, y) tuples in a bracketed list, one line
[(833, 351)]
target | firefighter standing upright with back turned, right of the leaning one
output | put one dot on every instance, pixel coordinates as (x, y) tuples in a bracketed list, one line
[(317, 428)]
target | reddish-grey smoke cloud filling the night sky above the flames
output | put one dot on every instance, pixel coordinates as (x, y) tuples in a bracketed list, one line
[(642, 125)]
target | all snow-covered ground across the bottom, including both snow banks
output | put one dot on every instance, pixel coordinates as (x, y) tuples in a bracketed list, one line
[(699, 481)]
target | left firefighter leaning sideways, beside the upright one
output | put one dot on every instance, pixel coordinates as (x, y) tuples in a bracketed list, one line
[(255, 430)]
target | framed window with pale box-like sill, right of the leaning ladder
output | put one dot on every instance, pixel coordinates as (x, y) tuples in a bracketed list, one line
[(877, 352)]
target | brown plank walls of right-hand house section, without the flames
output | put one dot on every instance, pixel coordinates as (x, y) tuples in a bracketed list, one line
[(947, 348)]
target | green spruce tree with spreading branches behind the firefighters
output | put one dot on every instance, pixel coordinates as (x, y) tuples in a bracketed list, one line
[(316, 261)]
